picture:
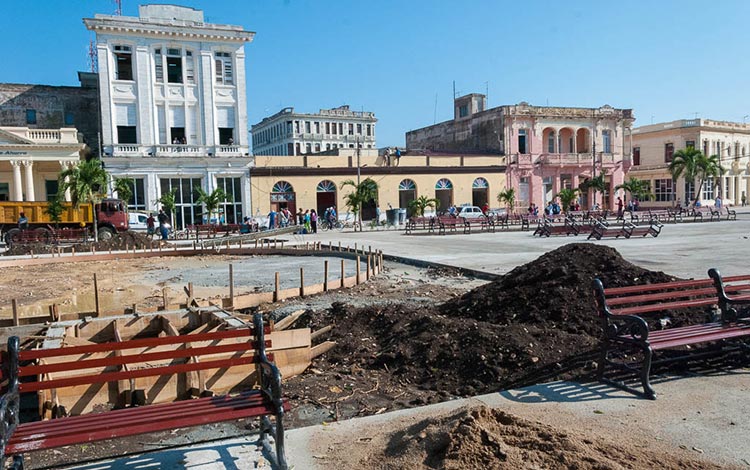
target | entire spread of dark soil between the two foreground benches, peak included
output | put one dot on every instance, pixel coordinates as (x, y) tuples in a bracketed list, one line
[(536, 323)]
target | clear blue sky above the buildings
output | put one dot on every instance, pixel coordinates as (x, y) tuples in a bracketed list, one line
[(666, 59)]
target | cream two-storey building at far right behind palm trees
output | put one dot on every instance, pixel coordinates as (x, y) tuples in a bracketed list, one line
[(654, 146)]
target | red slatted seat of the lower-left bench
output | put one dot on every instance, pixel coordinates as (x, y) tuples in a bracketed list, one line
[(142, 423)]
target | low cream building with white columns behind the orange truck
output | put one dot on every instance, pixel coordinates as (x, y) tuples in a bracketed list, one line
[(32, 159)]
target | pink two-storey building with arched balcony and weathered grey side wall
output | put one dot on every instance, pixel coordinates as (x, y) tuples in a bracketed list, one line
[(547, 148)]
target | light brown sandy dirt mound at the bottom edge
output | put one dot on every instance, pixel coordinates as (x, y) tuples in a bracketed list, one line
[(492, 439)]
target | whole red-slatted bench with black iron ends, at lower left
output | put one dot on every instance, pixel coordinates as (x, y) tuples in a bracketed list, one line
[(203, 358)]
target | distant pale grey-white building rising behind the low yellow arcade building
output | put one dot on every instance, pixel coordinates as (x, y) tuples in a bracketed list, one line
[(289, 133)]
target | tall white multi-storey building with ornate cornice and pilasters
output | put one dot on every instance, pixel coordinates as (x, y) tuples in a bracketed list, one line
[(173, 107)]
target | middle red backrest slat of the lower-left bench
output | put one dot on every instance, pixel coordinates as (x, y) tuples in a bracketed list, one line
[(134, 358)]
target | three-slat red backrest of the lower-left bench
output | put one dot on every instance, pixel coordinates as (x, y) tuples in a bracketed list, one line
[(123, 360)]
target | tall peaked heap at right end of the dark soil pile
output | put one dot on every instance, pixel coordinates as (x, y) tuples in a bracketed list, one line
[(554, 290)]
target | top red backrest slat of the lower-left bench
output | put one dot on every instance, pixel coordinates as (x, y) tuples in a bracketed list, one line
[(134, 343)]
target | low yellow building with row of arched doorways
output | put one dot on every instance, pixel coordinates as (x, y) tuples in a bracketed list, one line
[(314, 182)]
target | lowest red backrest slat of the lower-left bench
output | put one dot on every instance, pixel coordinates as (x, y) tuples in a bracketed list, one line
[(134, 374)]
